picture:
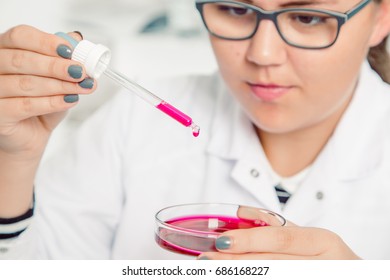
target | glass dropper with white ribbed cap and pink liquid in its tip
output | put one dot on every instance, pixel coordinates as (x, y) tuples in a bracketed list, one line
[(96, 57)]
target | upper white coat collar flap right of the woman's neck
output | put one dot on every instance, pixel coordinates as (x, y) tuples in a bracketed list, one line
[(357, 152)]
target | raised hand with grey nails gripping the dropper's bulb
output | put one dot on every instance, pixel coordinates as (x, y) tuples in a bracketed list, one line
[(38, 84)]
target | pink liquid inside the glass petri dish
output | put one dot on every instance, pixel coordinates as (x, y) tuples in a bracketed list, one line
[(198, 233)]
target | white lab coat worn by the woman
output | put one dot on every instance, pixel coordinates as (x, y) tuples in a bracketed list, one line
[(98, 198)]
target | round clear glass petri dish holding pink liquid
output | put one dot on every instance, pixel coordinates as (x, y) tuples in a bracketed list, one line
[(191, 229)]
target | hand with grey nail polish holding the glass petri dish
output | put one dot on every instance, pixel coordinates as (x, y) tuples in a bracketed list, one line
[(287, 243)]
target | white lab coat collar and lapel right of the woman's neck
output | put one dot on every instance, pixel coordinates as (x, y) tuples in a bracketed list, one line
[(351, 154)]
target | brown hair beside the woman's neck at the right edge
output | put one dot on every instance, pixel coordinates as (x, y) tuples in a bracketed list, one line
[(379, 58)]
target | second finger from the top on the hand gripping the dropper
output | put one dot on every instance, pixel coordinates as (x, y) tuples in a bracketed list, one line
[(26, 62)]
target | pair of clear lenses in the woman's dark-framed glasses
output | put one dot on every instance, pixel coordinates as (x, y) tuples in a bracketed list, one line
[(301, 28)]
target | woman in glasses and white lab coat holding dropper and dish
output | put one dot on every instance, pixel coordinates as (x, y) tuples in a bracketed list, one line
[(311, 120)]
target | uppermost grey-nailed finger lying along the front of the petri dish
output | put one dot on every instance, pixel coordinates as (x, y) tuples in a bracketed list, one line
[(284, 240)]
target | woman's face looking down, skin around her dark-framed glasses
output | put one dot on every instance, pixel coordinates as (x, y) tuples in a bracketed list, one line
[(284, 88)]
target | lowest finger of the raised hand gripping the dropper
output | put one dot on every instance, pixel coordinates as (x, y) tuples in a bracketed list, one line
[(18, 109)]
